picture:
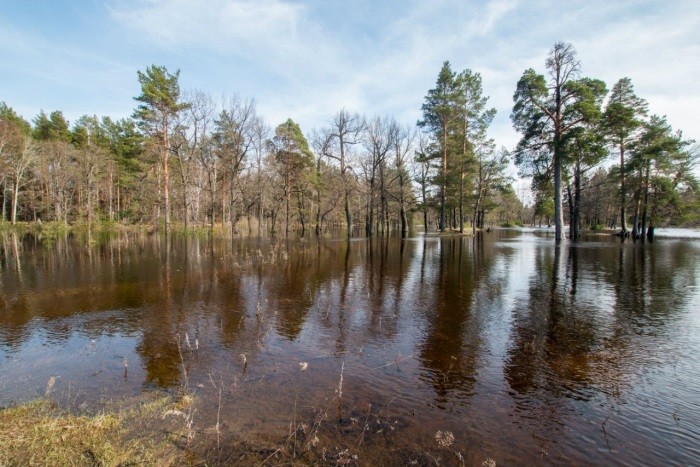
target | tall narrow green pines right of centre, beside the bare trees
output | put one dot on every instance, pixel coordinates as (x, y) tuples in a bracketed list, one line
[(470, 172)]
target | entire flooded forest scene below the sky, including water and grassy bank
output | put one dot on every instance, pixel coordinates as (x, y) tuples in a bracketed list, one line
[(206, 288)]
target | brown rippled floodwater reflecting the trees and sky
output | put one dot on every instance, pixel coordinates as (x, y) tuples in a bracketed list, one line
[(523, 352)]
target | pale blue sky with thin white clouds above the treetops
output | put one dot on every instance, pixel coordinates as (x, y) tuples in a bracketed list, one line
[(307, 59)]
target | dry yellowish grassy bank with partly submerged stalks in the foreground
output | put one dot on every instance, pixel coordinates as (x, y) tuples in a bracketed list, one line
[(158, 429)]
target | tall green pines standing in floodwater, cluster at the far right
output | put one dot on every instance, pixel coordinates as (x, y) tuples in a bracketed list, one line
[(568, 132)]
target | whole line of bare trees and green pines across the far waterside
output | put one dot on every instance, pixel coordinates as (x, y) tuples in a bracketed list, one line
[(595, 158)]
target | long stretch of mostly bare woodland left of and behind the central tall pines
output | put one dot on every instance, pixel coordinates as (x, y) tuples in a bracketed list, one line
[(184, 155)]
